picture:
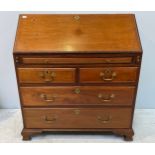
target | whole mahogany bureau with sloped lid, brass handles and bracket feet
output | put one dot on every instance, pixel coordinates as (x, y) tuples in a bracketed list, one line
[(77, 72)]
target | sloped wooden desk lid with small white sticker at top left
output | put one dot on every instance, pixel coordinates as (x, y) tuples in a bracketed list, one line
[(77, 33)]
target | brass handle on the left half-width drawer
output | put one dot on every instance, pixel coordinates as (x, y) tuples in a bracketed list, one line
[(47, 76)]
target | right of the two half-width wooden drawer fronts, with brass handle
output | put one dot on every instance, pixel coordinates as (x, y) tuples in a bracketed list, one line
[(108, 75)]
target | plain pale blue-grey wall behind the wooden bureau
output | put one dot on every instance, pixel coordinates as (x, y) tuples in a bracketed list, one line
[(8, 87)]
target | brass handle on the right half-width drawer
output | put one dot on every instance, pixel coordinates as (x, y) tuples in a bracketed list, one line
[(108, 75)]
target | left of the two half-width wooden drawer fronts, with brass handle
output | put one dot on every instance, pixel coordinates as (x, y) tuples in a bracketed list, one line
[(46, 75)]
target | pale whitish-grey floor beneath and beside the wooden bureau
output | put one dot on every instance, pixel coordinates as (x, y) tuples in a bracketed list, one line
[(11, 126)]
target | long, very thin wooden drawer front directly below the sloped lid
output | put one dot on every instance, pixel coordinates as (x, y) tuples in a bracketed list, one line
[(109, 60)]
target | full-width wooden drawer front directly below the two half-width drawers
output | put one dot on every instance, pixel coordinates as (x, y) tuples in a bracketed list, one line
[(84, 95)]
